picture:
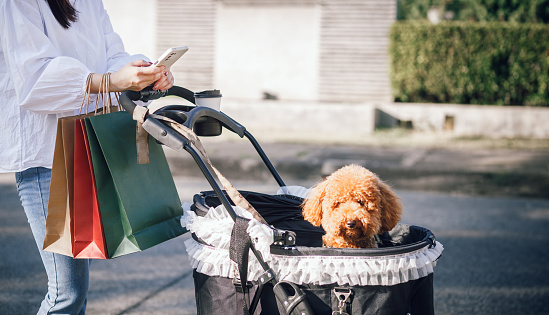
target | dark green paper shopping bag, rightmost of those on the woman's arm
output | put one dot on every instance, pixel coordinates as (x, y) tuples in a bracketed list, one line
[(139, 204)]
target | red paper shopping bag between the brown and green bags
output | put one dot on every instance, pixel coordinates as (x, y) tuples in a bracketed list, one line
[(88, 238)]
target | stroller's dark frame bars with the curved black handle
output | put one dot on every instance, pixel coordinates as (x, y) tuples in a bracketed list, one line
[(190, 117)]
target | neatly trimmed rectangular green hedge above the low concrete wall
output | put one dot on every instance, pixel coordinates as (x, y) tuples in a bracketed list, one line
[(470, 63)]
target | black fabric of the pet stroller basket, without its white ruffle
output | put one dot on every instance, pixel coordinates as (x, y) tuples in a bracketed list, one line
[(218, 295)]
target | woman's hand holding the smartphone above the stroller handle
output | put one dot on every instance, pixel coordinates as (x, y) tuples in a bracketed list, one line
[(136, 76)]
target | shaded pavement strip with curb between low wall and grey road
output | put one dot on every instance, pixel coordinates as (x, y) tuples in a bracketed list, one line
[(453, 169)]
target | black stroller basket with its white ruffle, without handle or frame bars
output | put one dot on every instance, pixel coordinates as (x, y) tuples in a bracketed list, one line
[(396, 277)]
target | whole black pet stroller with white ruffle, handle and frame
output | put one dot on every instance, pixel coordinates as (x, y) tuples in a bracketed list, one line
[(289, 272)]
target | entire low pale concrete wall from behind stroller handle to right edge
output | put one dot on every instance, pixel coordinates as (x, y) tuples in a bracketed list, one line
[(351, 123)]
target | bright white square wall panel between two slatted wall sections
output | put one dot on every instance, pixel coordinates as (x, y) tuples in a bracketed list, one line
[(270, 49)]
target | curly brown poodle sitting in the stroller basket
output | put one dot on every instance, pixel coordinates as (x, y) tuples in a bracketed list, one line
[(353, 205)]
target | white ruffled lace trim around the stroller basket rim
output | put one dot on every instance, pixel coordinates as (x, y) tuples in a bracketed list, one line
[(215, 229)]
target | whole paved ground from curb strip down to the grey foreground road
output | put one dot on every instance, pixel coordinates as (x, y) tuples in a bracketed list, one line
[(489, 207)]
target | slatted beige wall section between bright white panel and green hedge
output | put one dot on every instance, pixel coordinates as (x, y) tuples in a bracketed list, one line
[(354, 51)]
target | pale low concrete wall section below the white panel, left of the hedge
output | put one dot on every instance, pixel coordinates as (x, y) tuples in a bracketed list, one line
[(303, 121)]
